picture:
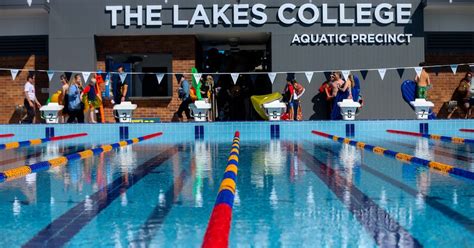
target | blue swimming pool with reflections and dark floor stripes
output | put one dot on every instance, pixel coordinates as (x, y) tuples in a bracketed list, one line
[(293, 188)]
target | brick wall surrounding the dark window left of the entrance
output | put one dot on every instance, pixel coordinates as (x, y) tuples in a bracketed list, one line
[(183, 51)]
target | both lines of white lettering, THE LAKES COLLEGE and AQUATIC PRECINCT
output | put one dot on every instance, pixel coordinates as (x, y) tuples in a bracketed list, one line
[(288, 14)]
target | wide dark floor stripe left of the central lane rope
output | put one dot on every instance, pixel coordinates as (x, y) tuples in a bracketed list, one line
[(65, 227)]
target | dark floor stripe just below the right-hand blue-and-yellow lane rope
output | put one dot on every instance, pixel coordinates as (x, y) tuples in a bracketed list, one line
[(446, 210)]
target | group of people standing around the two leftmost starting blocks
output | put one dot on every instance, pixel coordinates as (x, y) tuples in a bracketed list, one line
[(78, 98)]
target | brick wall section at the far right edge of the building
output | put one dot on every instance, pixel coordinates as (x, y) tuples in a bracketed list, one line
[(443, 80)]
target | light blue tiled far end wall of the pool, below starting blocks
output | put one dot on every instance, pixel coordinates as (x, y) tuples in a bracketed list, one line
[(223, 131)]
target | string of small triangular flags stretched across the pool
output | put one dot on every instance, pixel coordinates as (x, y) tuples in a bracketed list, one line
[(253, 75)]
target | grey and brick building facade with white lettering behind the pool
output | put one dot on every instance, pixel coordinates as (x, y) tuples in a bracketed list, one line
[(262, 36)]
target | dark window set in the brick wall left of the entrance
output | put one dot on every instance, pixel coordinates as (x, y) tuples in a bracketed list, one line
[(144, 85)]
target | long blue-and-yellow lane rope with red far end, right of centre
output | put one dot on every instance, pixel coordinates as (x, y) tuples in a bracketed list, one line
[(401, 156)]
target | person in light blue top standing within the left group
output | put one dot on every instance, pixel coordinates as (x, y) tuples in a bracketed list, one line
[(75, 110)]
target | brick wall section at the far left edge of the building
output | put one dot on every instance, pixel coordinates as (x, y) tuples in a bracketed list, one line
[(12, 92)]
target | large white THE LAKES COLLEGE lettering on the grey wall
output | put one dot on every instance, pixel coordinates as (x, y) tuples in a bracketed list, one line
[(245, 14)]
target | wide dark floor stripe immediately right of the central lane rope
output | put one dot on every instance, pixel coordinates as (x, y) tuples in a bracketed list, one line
[(376, 221)]
